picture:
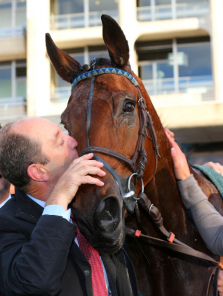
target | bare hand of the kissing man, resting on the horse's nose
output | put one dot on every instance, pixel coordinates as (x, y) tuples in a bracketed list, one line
[(77, 173)]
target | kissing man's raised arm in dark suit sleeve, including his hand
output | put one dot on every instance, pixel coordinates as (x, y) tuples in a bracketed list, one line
[(34, 267)]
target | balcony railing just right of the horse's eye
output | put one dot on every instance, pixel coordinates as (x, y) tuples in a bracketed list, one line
[(197, 84)]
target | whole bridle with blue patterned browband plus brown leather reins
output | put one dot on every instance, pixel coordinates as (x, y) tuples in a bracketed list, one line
[(127, 189)]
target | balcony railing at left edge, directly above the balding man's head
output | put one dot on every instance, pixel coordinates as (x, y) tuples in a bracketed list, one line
[(12, 107)]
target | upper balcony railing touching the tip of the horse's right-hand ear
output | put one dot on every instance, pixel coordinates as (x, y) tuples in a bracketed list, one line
[(79, 20)]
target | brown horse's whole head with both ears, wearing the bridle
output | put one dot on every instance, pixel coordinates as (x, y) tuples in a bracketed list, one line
[(104, 111)]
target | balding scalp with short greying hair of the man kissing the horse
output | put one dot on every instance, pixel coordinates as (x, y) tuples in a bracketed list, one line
[(20, 146)]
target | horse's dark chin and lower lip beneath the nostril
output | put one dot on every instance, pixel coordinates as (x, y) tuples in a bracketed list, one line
[(104, 242)]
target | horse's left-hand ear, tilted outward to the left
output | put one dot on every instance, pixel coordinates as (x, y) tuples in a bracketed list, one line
[(67, 67)]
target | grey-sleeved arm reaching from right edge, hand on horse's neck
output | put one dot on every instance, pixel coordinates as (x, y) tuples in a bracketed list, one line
[(207, 220)]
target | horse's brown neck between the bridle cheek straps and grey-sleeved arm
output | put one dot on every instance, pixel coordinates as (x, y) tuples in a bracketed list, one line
[(163, 190)]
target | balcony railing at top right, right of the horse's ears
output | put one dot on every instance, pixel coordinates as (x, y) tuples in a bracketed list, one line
[(166, 12)]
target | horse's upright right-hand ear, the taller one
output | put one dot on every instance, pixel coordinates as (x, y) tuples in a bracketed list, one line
[(115, 41)]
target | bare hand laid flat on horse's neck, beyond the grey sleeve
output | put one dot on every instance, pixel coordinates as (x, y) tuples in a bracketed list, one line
[(180, 164)]
